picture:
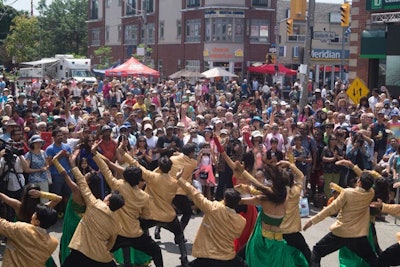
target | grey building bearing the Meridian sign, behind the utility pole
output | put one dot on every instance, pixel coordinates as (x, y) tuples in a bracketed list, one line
[(328, 53)]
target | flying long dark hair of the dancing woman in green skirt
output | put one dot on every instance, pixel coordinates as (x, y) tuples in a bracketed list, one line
[(280, 178)]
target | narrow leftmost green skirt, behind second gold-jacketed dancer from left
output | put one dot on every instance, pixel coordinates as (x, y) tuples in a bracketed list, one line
[(72, 216)]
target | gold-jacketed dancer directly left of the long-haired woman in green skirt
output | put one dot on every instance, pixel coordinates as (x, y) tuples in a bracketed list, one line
[(213, 246)]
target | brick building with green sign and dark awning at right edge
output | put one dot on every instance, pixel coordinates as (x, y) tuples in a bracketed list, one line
[(375, 53)]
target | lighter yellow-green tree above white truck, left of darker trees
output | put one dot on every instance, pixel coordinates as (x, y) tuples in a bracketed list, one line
[(23, 42)]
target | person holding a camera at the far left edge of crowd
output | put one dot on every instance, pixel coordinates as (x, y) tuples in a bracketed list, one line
[(12, 178)]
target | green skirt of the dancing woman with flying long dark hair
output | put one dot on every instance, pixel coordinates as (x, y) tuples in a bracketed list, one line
[(261, 251)]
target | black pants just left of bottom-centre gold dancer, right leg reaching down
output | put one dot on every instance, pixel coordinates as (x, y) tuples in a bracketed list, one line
[(174, 227)]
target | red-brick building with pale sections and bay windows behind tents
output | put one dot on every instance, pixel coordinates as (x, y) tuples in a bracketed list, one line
[(192, 34)]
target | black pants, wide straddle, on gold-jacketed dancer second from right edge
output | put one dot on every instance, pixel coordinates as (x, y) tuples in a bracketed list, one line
[(331, 243)]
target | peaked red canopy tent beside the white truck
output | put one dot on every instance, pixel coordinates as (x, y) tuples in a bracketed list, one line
[(132, 67)]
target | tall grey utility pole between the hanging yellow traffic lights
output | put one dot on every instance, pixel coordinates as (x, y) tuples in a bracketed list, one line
[(307, 52)]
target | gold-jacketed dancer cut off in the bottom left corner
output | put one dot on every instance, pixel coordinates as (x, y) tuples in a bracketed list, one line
[(29, 244)]
